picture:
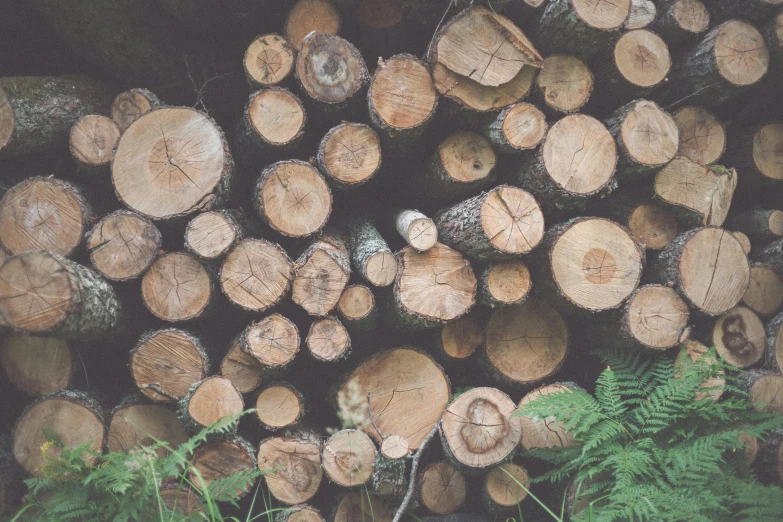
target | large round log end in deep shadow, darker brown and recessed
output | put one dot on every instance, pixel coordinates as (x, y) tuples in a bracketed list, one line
[(524, 344)]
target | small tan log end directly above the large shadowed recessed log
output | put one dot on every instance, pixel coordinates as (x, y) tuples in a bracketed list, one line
[(504, 283)]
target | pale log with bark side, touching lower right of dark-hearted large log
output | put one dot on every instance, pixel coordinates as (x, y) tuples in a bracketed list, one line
[(654, 317)]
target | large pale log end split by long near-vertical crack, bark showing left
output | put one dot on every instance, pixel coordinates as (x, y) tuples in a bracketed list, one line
[(707, 266)]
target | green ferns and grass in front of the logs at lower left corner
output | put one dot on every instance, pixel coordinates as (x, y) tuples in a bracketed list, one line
[(129, 486)]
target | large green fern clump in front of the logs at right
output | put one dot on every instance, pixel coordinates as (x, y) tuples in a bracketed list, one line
[(652, 445)]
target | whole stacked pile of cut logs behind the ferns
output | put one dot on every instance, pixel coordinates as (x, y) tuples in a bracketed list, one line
[(405, 200)]
